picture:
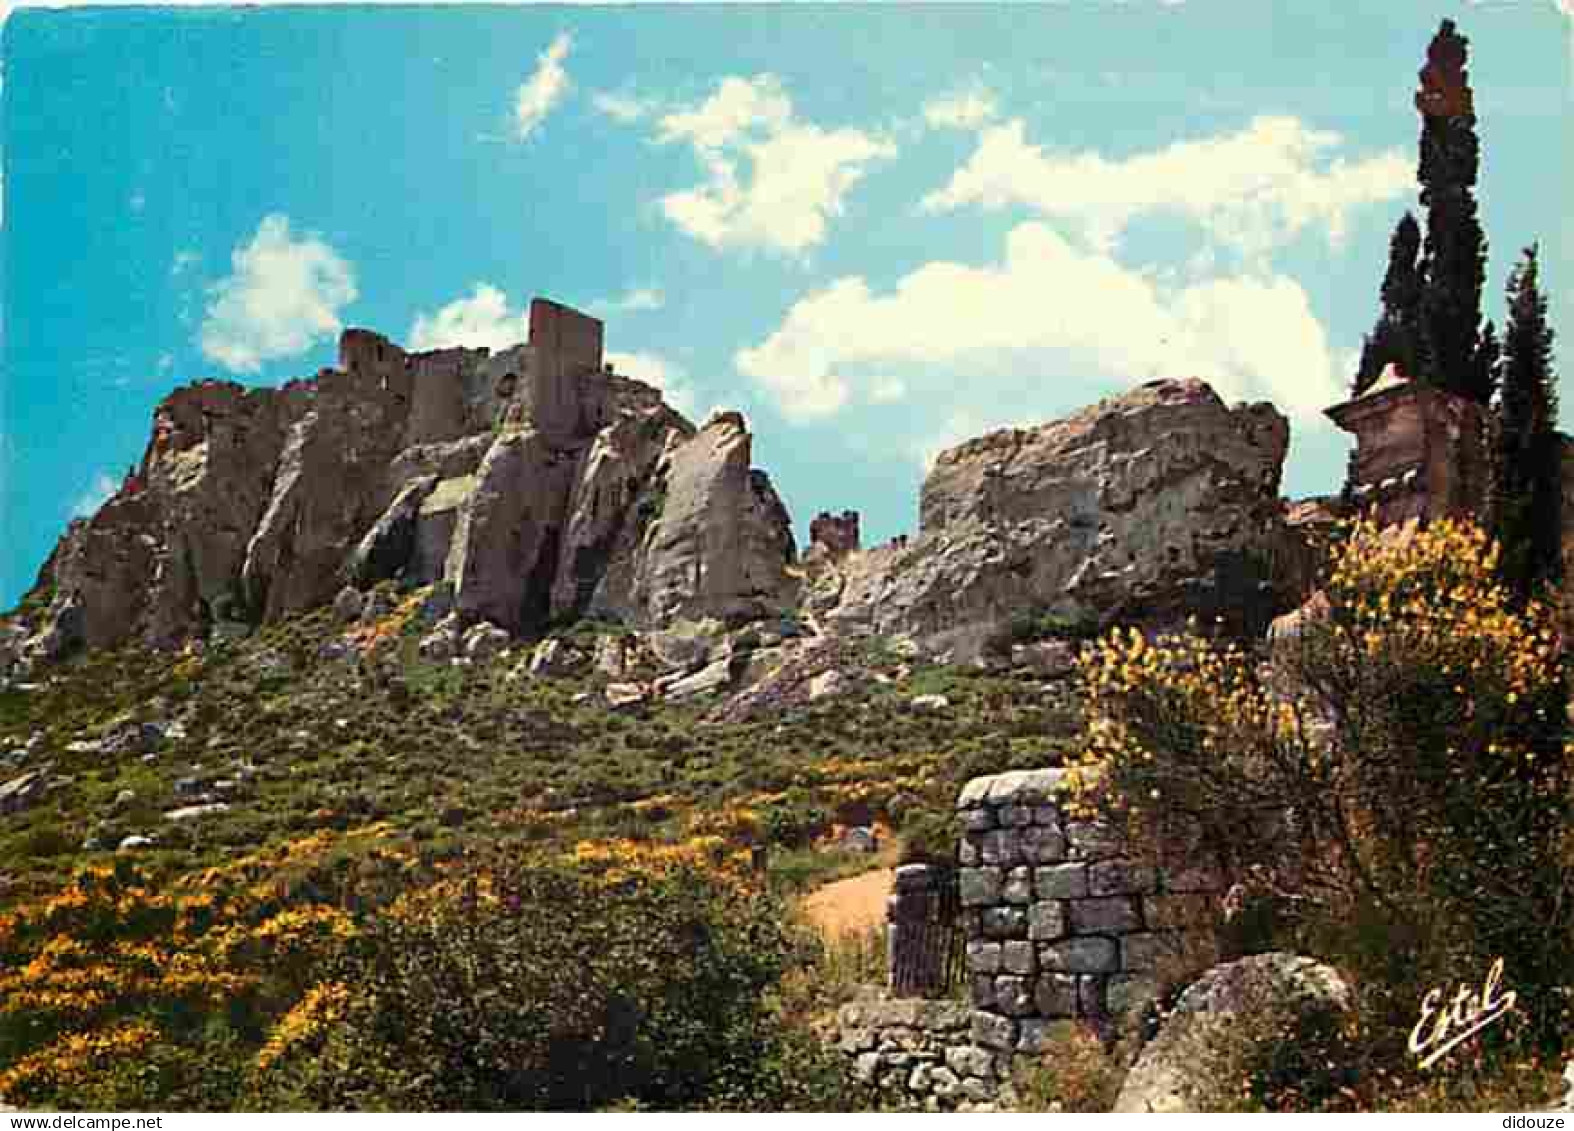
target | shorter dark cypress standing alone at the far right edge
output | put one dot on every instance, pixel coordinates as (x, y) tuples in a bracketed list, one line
[(1528, 459)]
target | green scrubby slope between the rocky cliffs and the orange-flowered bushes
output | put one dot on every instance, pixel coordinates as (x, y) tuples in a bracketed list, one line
[(446, 756)]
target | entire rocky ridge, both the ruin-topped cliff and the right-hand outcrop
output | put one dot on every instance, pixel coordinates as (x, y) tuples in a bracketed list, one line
[(534, 487)]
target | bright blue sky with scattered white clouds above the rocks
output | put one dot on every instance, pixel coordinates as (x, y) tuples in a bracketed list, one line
[(876, 230)]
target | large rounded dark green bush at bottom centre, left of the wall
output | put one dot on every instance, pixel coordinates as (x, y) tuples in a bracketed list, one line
[(536, 985)]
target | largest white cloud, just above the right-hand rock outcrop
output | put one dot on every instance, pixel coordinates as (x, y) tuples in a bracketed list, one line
[(1051, 322)]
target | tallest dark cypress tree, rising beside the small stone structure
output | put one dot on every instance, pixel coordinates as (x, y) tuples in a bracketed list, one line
[(1454, 263)]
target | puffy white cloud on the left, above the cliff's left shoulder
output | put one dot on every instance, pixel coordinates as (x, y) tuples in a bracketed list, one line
[(281, 297)]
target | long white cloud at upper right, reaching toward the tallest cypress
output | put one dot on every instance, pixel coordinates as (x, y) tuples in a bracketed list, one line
[(1254, 190)]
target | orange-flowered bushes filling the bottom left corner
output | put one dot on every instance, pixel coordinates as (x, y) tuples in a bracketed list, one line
[(119, 970)]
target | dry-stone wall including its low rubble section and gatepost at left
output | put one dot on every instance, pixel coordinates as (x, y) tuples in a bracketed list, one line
[(1059, 927)]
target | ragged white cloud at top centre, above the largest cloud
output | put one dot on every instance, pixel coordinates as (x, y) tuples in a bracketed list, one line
[(772, 180)]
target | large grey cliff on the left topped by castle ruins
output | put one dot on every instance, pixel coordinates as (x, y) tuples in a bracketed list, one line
[(517, 477)]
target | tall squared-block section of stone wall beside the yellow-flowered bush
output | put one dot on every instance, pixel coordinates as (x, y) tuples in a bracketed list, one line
[(1059, 926)]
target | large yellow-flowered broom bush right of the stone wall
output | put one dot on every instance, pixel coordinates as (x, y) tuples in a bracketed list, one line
[(1400, 786)]
